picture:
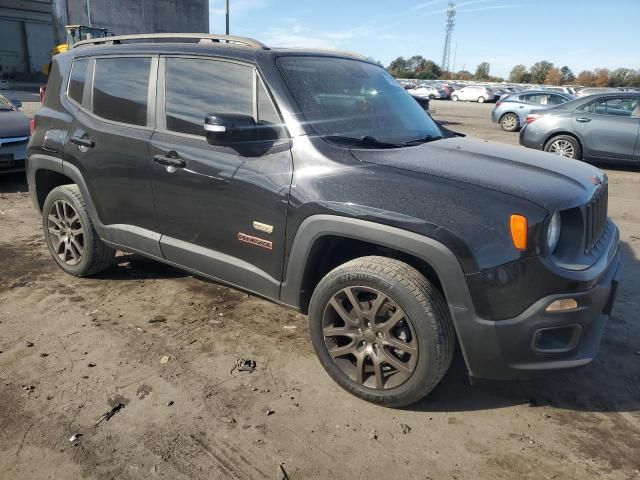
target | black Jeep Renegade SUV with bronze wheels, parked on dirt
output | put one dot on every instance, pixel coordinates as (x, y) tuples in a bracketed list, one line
[(315, 180)]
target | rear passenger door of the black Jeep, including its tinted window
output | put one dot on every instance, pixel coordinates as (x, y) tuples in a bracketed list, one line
[(109, 143)]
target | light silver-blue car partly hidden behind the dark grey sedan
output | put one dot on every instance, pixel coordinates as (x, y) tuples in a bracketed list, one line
[(511, 111)]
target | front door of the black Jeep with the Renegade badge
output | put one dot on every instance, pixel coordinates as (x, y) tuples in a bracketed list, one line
[(221, 210)]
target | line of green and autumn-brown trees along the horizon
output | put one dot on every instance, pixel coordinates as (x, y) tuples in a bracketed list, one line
[(543, 72)]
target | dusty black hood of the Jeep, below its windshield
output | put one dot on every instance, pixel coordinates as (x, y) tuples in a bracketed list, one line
[(548, 180)]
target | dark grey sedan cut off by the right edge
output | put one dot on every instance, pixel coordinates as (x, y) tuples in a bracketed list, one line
[(597, 127)]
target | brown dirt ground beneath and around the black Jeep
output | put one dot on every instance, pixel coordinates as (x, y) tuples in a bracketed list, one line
[(163, 343)]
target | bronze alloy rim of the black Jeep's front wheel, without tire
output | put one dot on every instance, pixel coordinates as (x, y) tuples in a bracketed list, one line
[(370, 338)]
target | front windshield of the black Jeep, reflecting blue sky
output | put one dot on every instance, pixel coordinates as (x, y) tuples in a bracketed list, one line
[(356, 102)]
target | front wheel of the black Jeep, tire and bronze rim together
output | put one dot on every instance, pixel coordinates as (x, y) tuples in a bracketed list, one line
[(412, 315)]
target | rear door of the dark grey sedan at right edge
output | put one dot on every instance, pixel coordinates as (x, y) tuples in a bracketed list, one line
[(607, 127)]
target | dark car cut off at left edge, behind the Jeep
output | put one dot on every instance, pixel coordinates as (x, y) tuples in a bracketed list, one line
[(14, 136)]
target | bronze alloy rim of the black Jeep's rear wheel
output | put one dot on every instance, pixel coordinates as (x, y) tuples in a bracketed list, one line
[(66, 232)]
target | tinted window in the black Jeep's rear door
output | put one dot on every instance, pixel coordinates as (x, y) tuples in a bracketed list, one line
[(120, 89)]
